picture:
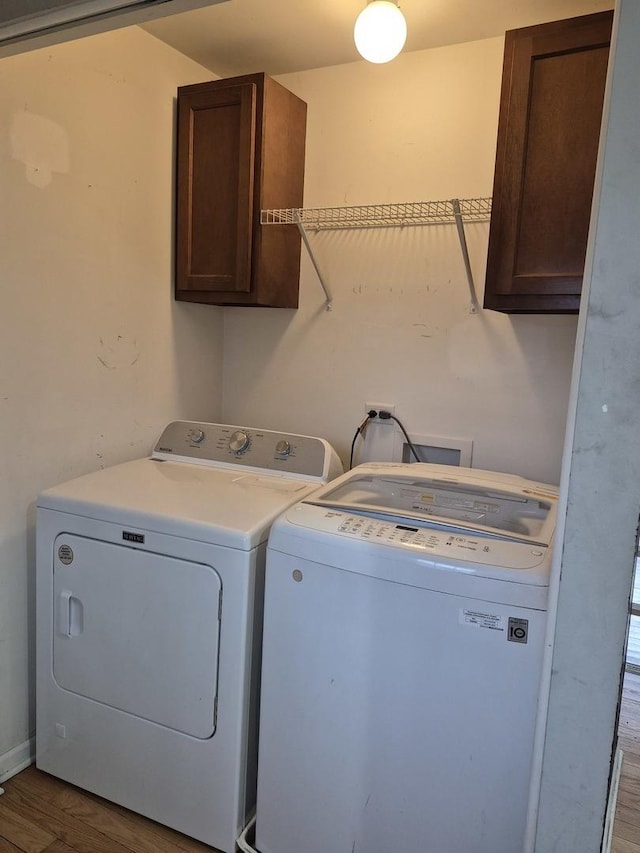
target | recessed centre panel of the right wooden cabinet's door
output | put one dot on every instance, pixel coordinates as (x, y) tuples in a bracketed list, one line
[(559, 168)]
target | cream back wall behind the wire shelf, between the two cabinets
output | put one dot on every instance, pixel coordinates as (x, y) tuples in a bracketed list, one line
[(422, 128)]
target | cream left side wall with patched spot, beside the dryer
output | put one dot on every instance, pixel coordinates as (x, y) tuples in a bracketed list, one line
[(95, 356)]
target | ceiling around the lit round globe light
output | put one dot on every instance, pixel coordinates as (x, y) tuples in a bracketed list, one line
[(281, 36)]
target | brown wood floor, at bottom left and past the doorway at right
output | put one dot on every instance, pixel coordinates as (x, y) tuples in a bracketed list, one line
[(41, 814)]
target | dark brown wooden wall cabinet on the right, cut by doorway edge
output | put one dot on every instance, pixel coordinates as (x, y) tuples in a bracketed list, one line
[(550, 114)]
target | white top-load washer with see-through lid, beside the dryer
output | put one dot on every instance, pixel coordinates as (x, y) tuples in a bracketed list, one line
[(405, 612)]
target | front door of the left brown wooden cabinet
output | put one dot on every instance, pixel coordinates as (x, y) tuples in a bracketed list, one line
[(216, 154)]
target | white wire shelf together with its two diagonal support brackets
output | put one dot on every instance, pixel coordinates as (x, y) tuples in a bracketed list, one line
[(401, 215)]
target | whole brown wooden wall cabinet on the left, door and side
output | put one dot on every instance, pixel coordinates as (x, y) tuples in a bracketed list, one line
[(240, 149)]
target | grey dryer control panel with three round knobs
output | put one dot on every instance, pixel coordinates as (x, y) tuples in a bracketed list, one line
[(240, 446)]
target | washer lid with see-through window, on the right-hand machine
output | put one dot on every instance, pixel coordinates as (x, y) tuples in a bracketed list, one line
[(495, 505)]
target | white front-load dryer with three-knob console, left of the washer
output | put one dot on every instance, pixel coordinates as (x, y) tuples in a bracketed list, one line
[(149, 605)]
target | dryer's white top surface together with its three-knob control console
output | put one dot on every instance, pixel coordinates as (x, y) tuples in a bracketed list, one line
[(208, 482)]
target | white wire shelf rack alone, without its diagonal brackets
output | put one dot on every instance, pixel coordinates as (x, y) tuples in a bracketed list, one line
[(381, 215)]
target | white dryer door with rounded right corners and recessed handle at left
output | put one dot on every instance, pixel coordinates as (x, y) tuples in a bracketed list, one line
[(137, 631)]
